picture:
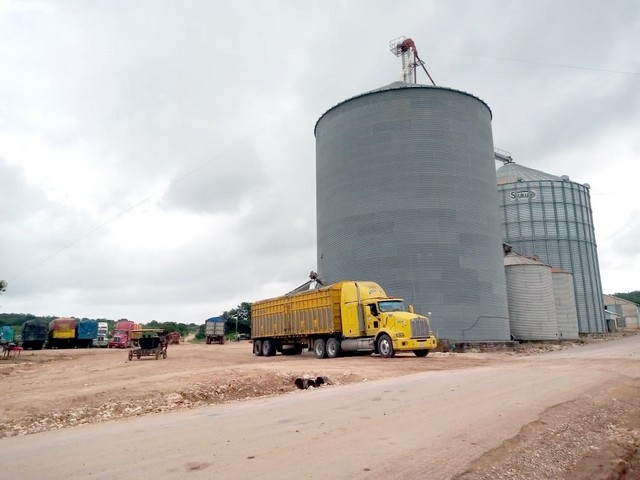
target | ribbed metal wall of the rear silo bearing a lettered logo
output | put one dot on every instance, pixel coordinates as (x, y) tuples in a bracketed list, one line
[(553, 220)]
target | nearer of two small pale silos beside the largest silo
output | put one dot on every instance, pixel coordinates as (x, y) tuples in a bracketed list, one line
[(532, 312)]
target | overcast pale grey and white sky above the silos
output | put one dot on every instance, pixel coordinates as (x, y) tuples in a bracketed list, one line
[(157, 157)]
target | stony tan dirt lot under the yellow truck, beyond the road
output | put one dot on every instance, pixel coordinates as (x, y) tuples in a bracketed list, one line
[(49, 389)]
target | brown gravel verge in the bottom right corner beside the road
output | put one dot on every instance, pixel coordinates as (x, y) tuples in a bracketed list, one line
[(597, 439)]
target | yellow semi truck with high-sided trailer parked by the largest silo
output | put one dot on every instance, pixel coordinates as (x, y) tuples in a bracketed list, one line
[(338, 319)]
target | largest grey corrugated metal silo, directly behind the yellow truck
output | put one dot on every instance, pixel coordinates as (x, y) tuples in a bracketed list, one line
[(405, 185)]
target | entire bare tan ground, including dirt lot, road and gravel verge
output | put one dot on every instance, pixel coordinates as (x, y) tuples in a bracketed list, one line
[(471, 415)]
